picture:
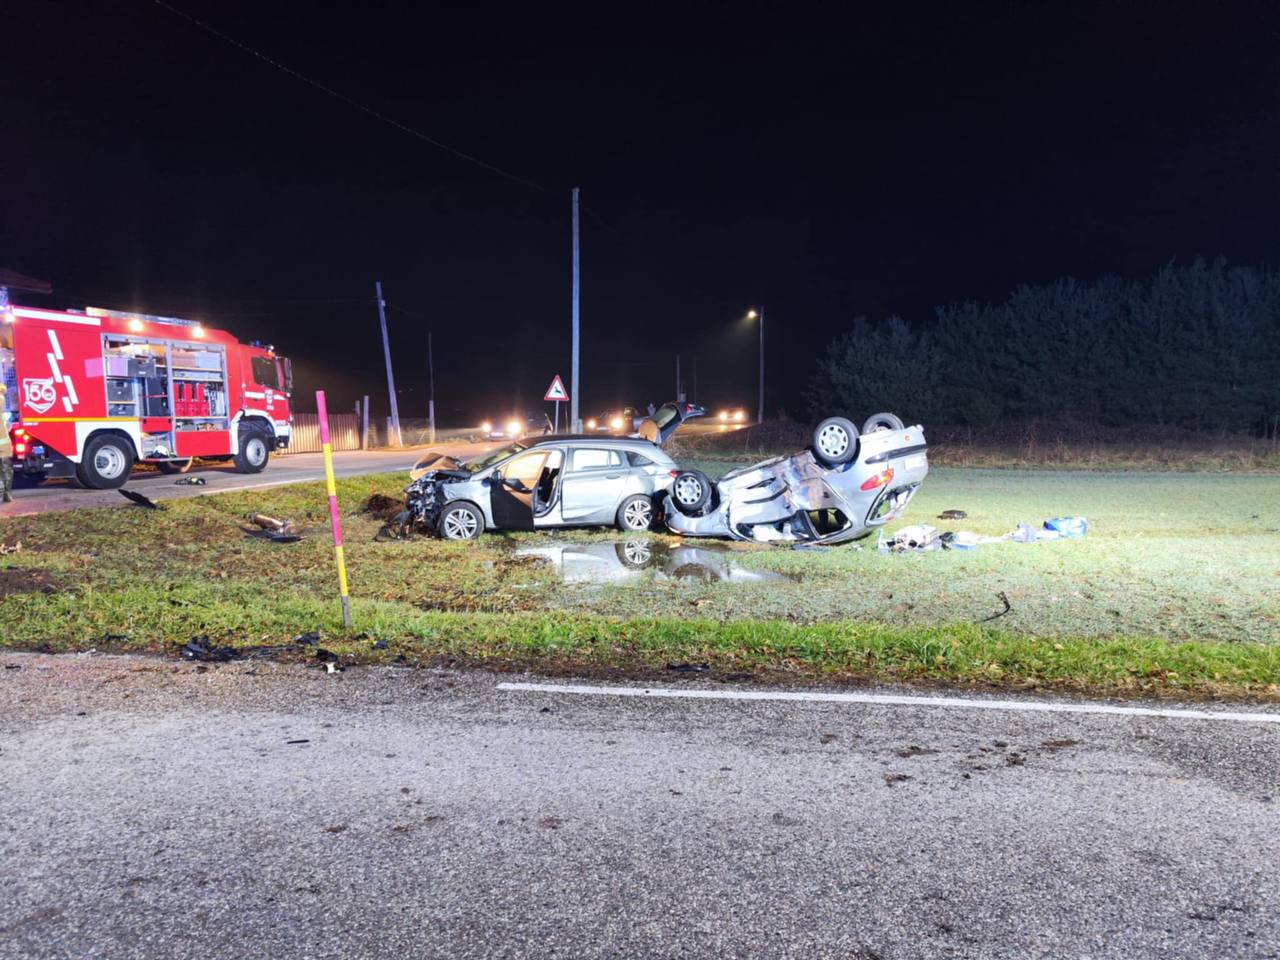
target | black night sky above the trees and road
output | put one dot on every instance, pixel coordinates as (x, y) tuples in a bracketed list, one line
[(825, 161)]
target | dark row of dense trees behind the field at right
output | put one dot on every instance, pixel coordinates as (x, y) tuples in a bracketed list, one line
[(1195, 348)]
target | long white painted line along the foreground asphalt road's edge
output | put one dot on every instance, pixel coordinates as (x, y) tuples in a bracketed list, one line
[(895, 701)]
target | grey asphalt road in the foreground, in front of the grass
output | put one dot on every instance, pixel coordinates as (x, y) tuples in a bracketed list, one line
[(163, 810)]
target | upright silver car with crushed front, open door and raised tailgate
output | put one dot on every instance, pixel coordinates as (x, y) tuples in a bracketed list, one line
[(547, 482)]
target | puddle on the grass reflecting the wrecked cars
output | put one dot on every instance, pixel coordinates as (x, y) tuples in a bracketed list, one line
[(623, 560)]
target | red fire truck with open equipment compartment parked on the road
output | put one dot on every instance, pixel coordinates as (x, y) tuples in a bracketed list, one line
[(94, 392)]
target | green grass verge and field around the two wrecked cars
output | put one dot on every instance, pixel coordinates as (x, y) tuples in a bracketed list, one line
[(1150, 604)]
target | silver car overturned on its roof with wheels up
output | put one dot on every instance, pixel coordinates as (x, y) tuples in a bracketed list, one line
[(843, 488)]
